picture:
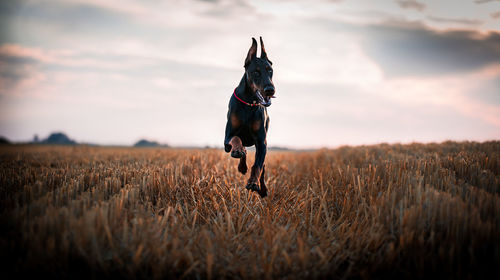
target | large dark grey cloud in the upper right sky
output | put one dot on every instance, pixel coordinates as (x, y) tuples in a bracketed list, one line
[(412, 49)]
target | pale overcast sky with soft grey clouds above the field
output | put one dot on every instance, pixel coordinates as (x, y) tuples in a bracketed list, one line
[(346, 72)]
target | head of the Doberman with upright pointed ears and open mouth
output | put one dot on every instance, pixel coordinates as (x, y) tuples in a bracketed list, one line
[(259, 73)]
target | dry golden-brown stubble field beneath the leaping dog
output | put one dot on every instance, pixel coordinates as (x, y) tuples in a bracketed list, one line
[(379, 211)]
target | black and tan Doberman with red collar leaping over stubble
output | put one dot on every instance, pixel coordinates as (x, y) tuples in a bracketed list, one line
[(247, 119)]
